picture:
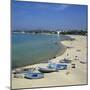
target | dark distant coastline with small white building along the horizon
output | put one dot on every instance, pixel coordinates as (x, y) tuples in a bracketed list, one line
[(70, 32)]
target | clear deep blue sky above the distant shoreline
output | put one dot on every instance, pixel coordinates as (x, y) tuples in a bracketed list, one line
[(48, 16)]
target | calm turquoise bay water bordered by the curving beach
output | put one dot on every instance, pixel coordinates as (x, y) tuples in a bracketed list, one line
[(29, 48)]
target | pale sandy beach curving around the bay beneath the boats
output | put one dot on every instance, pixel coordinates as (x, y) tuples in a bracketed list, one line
[(70, 76)]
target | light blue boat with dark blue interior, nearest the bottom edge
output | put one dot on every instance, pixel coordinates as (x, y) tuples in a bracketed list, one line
[(34, 75)]
